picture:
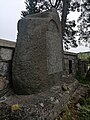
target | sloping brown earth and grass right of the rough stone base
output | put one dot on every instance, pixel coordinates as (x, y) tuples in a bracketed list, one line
[(78, 107)]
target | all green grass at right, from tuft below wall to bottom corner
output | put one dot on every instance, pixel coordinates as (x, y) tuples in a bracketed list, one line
[(82, 112)]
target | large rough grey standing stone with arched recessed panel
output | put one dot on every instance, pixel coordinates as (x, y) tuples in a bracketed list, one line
[(37, 63)]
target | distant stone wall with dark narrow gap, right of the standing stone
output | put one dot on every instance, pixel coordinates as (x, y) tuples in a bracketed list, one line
[(73, 64)]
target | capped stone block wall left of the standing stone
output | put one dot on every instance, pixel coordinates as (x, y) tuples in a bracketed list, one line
[(6, 55)]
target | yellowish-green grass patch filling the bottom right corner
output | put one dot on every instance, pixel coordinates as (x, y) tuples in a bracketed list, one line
[(71, 112)]
